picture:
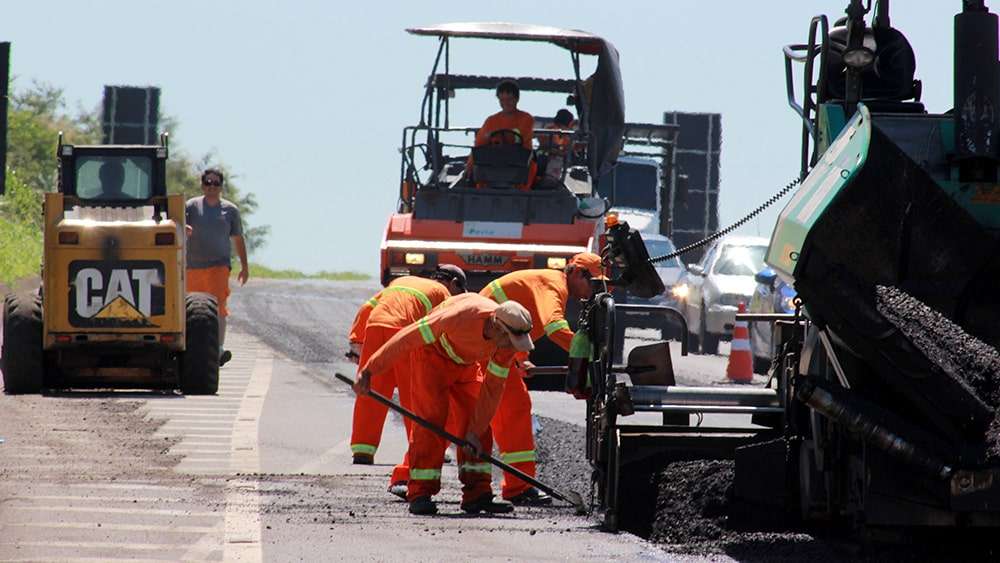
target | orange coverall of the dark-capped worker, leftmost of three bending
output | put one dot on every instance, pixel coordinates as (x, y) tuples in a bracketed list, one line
[(406, 300)]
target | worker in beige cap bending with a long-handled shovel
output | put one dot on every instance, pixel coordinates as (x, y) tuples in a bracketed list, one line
[(443, 352)]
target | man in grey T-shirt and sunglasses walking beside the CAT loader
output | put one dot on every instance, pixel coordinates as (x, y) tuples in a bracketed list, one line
[(213, 227)]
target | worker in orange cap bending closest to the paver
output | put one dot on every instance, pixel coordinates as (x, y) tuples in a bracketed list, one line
[(544, 293)]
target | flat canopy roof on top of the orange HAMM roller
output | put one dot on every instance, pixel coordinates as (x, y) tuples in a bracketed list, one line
[(574, 40)]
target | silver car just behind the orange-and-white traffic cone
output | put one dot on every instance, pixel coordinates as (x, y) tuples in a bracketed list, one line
[(712, 289)]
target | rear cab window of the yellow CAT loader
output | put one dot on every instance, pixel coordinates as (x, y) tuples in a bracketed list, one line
[(114, 178)]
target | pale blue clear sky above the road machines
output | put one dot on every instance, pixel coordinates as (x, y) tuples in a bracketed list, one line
[(305, 101)]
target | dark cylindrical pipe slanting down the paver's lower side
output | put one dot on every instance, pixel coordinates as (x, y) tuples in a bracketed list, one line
[(836, 408)]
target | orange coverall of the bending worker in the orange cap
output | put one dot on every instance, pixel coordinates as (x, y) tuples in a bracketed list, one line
[(544, 294)]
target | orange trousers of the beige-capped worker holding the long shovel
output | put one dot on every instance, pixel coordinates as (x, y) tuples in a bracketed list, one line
[(441, 388)]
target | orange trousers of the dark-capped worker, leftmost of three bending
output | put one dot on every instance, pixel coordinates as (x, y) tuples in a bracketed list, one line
[(369, 414)]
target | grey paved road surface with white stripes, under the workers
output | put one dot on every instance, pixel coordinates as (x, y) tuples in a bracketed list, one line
[(259, 472)]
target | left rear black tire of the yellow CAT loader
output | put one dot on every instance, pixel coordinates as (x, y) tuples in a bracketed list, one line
[(22, 358)]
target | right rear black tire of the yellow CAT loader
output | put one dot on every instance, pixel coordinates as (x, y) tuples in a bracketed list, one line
[(200, 360)]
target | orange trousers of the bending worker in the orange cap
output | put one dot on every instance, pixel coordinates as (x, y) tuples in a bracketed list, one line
[(513, 434)]
